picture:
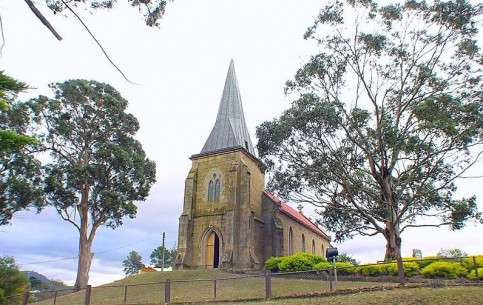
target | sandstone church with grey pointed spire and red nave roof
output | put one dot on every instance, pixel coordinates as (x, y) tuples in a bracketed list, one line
[(229, 220)]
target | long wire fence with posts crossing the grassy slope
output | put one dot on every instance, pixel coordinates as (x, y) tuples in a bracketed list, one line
[(232, 288)]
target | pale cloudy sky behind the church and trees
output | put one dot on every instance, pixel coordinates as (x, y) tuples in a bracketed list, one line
[(179, 69)]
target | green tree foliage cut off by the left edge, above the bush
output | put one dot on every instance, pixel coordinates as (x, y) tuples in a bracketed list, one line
[(19, 170)]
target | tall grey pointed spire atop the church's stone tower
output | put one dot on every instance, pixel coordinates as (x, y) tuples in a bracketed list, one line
[(230, 129)]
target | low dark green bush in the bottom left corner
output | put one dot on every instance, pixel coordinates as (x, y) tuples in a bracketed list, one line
[(12, 282)]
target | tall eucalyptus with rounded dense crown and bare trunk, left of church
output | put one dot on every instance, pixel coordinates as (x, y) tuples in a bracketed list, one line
[(98, 169)]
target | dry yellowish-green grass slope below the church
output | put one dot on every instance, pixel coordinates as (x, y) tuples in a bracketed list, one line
[(148, 288)]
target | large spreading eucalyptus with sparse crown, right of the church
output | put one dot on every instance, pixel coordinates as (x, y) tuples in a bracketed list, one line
[(388, 115)]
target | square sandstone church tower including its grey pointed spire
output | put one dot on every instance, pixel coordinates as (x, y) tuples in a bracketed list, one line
[(221, 224)]
